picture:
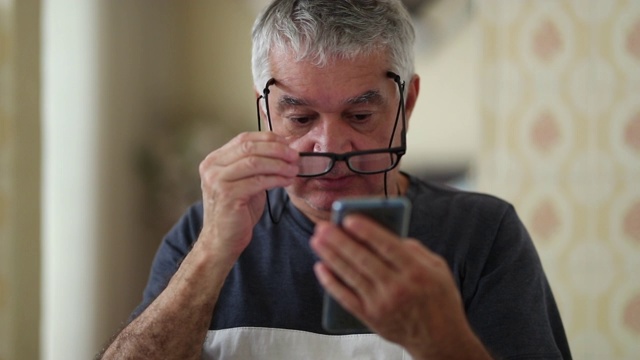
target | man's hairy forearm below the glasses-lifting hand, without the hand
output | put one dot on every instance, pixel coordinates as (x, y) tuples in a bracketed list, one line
[(176, 323)]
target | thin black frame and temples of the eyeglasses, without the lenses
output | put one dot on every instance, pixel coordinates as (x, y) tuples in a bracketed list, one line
[(398, 151)]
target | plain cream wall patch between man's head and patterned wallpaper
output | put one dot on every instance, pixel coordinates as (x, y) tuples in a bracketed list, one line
[(443, 137)]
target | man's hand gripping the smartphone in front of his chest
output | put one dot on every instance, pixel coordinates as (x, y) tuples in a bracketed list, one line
[(398, 289)]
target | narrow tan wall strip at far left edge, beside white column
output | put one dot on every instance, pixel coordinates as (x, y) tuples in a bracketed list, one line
[(19, 179)]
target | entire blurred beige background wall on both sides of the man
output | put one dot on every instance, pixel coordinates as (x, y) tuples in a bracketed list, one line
[(107, 107)]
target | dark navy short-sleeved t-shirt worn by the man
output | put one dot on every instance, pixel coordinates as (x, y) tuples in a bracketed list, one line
[(506, 296)]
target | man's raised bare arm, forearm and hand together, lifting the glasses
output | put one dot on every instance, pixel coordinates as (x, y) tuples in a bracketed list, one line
[(233, 179)]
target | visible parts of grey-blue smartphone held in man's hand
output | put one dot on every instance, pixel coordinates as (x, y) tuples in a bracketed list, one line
[(392, 213)]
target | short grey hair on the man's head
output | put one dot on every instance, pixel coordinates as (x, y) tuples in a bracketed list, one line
[(322, 30)]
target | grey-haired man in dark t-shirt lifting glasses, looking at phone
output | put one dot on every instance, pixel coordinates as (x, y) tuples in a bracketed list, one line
[(243, 273)]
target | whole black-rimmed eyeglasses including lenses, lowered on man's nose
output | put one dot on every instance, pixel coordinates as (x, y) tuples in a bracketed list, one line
[(367, 162)]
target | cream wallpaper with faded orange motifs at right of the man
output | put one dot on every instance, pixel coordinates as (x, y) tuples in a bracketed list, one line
[(561, 140)]
